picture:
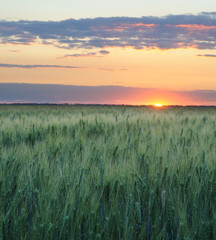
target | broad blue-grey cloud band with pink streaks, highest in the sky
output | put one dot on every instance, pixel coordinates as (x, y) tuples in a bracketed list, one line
[(168, 32)]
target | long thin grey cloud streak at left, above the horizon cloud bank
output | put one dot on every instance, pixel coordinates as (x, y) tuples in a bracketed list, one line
[(4, 65)]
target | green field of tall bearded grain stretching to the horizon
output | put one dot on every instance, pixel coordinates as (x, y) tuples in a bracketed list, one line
[(107, 172)]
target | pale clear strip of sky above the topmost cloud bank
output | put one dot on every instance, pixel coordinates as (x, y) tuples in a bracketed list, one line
[(64, 9)]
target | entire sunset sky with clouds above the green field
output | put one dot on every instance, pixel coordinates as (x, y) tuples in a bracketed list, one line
[(112, 52)]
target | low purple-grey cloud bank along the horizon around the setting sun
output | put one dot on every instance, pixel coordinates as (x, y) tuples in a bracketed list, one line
[(45, 93)]
